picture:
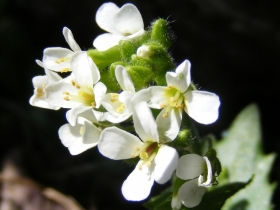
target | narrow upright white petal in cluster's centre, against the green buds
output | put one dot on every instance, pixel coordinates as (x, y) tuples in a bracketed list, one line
[(124, 79)]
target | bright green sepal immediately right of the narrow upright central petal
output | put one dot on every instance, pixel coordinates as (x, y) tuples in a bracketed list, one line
[(140, 76)]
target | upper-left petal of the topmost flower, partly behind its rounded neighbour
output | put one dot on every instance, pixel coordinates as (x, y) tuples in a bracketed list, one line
[(105, 17)]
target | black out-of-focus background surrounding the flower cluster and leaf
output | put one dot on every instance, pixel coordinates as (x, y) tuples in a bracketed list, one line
[(234, 48)]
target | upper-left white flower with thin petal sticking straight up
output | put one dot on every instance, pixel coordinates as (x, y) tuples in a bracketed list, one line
[(58, 58)]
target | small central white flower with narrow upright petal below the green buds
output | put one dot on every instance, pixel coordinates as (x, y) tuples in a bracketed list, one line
[(120, 106)]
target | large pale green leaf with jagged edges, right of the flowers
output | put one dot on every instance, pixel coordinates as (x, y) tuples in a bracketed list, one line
[(241, 156)]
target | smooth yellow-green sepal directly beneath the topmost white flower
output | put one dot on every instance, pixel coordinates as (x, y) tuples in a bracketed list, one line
[(102, 59)]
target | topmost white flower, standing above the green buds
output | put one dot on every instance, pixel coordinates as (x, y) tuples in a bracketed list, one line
[(121, 23)]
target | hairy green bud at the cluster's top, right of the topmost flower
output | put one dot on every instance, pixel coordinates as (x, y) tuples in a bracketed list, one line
[(161, 33)]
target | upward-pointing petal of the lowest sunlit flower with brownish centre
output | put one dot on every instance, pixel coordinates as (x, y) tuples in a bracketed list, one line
[(144, 123)]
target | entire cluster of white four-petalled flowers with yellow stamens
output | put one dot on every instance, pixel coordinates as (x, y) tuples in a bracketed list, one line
[(94, 113)]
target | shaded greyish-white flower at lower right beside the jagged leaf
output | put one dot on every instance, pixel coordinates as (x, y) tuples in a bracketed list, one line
[(198, 170)]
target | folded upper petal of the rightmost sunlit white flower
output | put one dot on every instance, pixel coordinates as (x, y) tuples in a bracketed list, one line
[(181, 79)]
